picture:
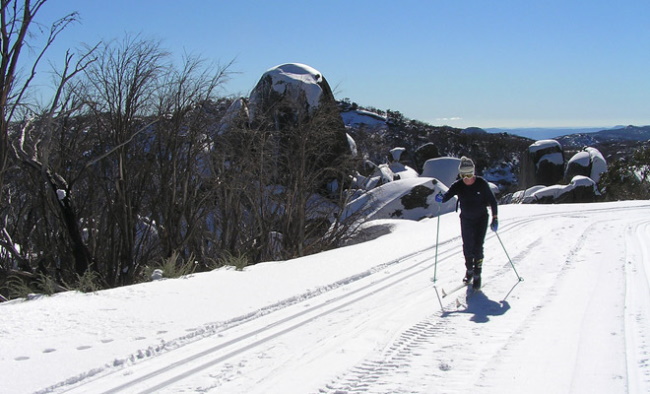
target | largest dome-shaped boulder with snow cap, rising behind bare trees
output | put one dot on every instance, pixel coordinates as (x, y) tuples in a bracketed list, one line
[(294, 104)]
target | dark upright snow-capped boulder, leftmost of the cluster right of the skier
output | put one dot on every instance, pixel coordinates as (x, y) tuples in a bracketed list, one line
[(542, 164)]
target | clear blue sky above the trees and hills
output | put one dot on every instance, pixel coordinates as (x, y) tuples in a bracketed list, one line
[(504, 63)]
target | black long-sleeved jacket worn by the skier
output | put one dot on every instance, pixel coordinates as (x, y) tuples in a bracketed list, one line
[(473, 199)]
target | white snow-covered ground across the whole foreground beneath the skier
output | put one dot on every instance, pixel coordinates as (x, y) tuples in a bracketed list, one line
[(367, 318)]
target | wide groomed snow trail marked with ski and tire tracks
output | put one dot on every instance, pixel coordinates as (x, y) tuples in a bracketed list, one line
[(373, 312)]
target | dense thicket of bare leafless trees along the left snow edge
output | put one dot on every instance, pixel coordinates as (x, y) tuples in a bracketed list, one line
[(126, 170)]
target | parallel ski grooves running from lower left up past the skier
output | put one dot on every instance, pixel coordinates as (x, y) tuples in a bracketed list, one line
[(252, 332)]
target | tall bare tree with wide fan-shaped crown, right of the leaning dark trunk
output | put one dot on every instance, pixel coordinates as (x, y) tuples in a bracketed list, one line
[(120, 92)]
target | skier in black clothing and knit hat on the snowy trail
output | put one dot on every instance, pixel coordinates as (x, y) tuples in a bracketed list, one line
[(474, 195)]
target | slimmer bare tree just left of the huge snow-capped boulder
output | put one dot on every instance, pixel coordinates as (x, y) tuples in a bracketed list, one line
[(182, 201)]
